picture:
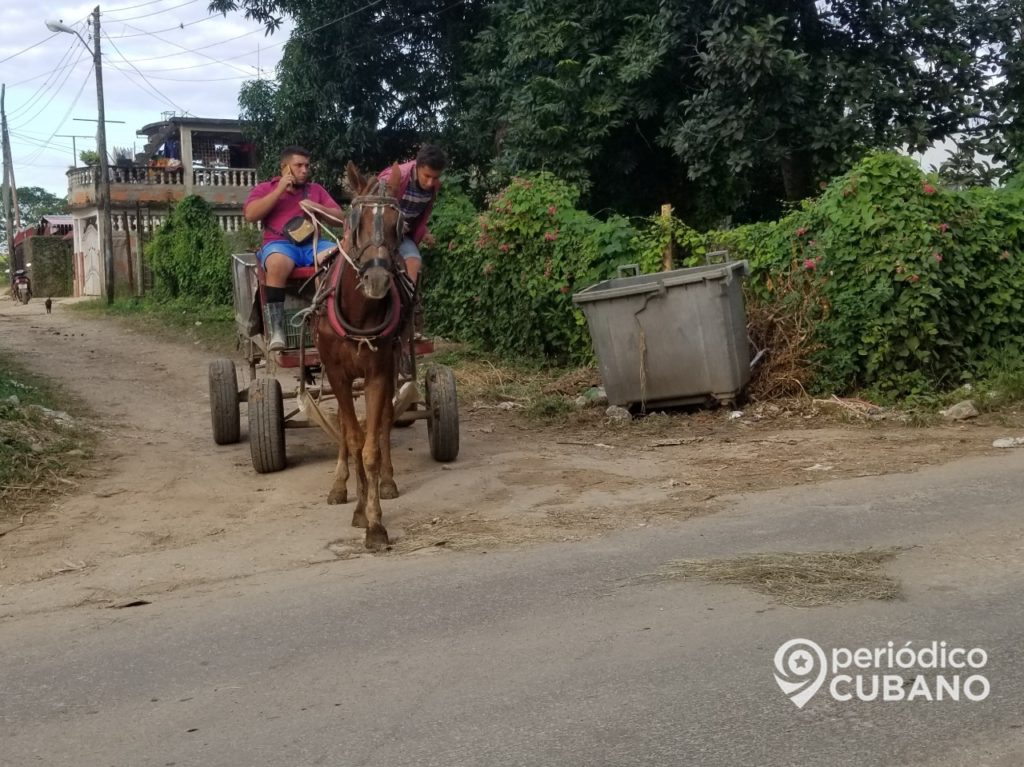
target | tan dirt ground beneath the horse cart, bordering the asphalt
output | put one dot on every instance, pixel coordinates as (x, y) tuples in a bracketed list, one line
[(167, 509)]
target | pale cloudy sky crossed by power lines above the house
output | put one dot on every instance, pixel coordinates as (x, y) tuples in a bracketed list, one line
[(158, 57)]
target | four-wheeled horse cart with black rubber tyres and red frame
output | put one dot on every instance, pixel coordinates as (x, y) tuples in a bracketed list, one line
[(272, 411)]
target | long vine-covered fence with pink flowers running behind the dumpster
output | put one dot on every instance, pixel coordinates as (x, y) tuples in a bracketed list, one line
[(906, 286)]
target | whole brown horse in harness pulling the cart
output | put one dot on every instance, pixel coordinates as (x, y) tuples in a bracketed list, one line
[(357, 332)]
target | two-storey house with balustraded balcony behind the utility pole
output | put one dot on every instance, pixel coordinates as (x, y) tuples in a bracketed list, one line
[(183, 156)]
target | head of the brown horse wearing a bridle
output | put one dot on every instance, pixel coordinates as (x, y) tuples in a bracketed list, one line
[(375, 230)]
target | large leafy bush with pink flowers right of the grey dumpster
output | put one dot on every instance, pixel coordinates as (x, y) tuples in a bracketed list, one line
[(914, 288)]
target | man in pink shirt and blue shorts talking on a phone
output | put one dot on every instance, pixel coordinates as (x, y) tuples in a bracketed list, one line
[(276, 203)]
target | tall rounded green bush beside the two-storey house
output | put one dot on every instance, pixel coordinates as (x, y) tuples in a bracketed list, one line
[(190, 257)]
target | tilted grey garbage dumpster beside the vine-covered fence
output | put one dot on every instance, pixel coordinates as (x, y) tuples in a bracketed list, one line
[(671, 338)]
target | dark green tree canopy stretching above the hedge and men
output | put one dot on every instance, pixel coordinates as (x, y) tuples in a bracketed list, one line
[(720, 108)]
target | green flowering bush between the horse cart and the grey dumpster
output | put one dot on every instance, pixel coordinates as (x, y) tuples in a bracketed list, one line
[(505, 279)]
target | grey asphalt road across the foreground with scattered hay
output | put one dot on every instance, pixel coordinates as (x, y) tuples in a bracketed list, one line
[(563, 655)]
